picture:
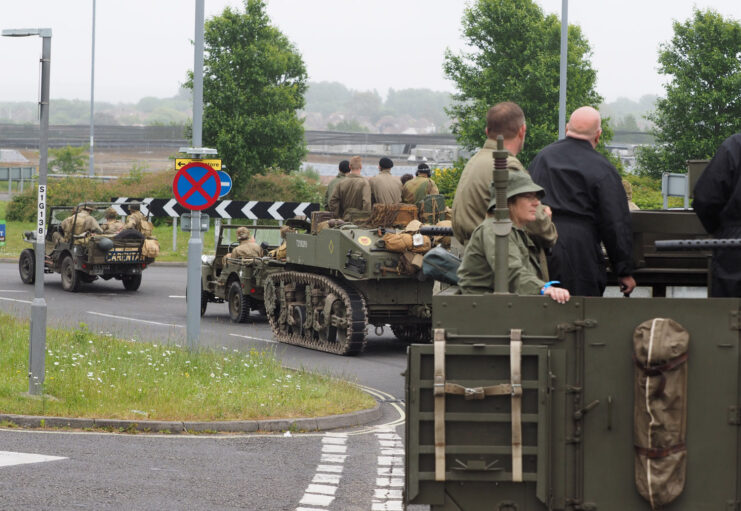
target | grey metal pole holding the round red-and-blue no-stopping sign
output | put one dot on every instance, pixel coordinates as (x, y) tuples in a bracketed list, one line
[(195, 245)]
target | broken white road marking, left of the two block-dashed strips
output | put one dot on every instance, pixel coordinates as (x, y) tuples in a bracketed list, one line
[(321, 490)]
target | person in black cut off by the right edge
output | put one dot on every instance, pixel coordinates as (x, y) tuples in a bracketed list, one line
[(717, 203)]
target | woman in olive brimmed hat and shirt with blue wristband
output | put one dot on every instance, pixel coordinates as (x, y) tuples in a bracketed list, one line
[(526, 275)]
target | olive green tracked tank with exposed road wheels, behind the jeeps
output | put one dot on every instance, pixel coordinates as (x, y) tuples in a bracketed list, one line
[(339, 280)]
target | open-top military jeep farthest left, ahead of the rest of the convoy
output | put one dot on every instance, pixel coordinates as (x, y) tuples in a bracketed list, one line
[(88, 256)]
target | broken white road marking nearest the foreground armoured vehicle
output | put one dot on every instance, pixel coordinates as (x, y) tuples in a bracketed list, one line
[(388, 494)]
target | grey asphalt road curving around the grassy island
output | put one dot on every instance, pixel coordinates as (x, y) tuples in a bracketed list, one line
[(355, 469)]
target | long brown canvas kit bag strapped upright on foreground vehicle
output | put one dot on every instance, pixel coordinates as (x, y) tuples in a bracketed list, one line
[(660, 349)]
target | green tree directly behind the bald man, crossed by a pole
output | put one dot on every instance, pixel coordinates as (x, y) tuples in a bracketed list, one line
[(514, 56)]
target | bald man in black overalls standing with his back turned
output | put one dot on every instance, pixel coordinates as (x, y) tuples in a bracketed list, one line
[(586, 196)]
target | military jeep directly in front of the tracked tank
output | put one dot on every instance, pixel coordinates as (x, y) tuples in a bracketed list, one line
[(239, 282)]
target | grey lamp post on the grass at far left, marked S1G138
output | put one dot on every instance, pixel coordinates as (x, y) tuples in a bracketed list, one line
[(37, 349)]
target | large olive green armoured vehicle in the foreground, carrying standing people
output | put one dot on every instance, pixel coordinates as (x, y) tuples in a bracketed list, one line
[(601, 404)]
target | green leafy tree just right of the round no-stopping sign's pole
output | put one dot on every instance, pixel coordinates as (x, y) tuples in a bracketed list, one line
[(254, 84)]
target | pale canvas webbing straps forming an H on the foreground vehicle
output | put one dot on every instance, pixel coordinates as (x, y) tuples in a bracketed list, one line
[(514, 389)]
